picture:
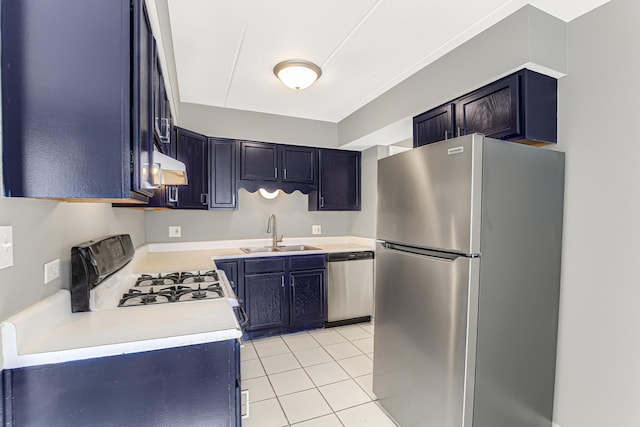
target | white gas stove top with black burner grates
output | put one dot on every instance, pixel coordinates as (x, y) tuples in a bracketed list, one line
[(173, 287)]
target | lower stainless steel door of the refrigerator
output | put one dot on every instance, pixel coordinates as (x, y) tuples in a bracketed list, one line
[(422, 341)]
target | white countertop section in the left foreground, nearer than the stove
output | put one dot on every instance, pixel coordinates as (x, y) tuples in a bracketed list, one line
[(48, 332)]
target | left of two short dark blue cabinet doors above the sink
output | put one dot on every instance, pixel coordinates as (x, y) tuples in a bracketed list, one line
[(258, 161)]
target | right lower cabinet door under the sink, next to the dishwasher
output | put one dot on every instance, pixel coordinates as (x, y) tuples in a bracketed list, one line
[(307, 296)]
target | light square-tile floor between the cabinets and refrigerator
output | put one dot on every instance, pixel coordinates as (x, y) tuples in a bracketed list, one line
[(320, 378)]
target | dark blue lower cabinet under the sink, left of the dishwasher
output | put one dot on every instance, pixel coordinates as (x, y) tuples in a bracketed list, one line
[(284, 294)]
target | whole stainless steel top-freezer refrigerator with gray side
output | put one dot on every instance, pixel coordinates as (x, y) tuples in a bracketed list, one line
[(467, 283)]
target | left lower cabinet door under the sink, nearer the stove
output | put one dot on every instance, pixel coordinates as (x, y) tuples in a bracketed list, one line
[(265, 300)]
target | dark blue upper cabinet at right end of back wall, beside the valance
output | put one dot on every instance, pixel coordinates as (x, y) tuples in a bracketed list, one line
[(338, 183)]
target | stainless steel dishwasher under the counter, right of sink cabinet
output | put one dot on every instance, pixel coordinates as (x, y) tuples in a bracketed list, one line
[(350, 287)]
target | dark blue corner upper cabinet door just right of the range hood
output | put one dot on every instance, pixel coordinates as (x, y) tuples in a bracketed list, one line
[(192, 151)]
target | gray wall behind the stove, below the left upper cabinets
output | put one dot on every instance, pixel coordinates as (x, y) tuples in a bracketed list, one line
[(44, 230)]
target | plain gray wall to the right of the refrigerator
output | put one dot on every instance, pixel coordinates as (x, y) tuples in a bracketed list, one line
[(598, 368)]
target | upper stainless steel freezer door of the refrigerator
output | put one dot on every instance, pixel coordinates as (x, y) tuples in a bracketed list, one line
[(430, 196)]
